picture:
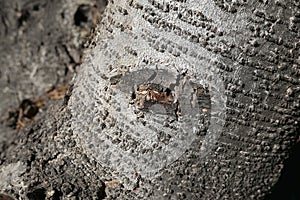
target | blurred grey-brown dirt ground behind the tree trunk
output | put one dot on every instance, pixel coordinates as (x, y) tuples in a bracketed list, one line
[(41, 48)]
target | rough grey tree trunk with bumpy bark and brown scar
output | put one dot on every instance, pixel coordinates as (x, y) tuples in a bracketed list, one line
[(232, 71)]
